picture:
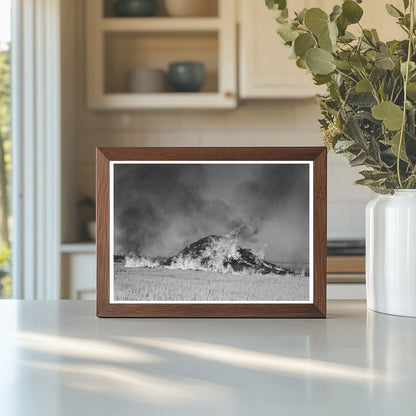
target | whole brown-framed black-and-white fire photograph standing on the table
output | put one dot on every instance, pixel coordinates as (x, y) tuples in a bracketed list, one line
[(211, 232)]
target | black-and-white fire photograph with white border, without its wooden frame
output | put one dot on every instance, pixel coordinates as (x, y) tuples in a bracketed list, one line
[(210, 232)]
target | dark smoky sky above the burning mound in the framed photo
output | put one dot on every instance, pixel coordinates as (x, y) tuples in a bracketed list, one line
[(161, 208)]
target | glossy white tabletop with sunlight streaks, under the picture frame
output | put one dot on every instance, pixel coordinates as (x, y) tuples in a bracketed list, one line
[(57, 358)]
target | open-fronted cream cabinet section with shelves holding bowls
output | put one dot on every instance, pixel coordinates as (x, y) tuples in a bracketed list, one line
[(118, 45)]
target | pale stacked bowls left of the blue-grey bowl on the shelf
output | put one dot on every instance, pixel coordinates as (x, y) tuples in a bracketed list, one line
[(147, 81)]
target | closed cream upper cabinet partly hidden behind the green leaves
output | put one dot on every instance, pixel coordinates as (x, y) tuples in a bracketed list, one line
[(265, 70)]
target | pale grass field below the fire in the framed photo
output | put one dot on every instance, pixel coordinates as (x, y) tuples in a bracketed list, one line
[(160, 284)]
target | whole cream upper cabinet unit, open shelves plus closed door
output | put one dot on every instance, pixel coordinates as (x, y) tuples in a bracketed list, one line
[(117, 45)]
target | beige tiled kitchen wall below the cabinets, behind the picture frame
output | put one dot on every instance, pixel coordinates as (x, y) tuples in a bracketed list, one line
[(256, 123)]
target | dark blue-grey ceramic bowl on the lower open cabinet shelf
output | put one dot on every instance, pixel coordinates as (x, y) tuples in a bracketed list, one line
[(186, 76)]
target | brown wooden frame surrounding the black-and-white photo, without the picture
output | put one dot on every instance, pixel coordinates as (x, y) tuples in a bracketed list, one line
[(317, 309)]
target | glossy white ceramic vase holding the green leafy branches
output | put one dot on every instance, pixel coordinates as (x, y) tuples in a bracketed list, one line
[(391, 253)]
